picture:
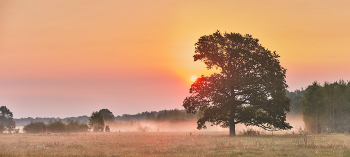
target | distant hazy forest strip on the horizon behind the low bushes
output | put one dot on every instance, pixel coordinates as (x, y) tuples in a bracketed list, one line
[(164, 115)]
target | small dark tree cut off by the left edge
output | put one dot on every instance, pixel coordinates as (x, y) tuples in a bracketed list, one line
[(6, 119)]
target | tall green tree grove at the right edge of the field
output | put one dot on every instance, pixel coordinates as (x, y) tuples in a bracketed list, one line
[(326, 109)]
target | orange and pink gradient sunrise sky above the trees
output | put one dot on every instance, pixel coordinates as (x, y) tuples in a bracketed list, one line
[(70, 58)]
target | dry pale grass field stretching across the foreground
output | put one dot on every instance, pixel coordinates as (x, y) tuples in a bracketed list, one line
[(172, 144)]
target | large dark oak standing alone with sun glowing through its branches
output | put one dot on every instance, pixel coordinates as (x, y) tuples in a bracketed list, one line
[(249, 89)]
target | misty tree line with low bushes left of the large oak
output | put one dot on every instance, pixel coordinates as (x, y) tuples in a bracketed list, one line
[(100, 121)]
